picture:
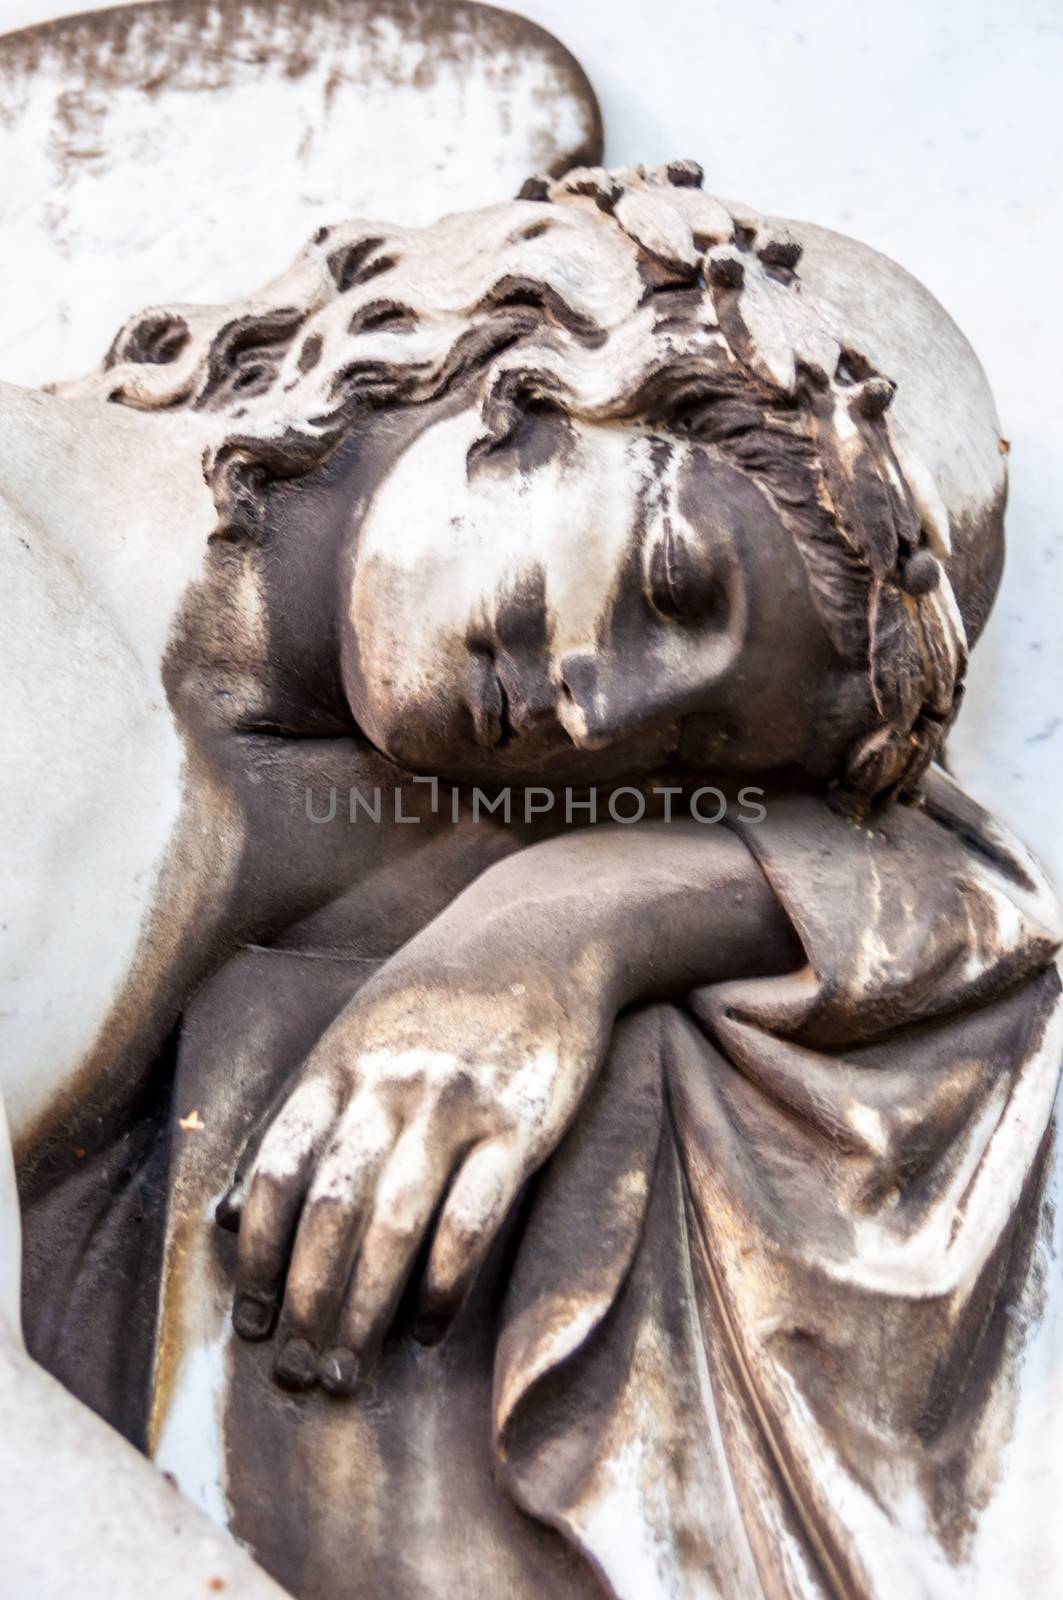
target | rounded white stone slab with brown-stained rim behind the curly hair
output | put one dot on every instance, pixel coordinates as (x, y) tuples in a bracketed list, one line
[(175, 151)]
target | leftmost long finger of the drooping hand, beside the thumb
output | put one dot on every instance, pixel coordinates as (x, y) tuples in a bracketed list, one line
[(273, 1206)]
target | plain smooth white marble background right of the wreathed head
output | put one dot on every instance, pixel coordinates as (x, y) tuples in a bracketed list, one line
[(933, 134)]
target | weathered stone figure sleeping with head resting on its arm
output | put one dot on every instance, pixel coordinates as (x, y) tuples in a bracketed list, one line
[(457, 1191)]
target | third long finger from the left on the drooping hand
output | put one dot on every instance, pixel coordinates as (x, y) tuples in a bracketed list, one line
[(407, 1198)]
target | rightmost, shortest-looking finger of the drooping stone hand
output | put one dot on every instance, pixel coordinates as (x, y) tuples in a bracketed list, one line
[(476, 1209)]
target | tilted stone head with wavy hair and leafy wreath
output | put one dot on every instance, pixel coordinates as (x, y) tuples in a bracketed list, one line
[(617, 489)]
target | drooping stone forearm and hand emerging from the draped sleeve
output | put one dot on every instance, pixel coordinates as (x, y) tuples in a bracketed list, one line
[(457, 1071)]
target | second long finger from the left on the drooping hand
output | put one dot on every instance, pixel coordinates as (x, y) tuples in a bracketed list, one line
[(329, 1234)]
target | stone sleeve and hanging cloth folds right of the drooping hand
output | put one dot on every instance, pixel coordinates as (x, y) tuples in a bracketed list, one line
[(785, 1318)]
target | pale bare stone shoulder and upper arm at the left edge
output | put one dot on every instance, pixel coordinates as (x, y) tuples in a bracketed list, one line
[(103, 529)]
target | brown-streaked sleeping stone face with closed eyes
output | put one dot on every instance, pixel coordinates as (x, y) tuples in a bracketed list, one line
[(580, 602)]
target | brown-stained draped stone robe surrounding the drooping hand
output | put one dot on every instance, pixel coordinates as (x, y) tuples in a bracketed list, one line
[(782, 1318)]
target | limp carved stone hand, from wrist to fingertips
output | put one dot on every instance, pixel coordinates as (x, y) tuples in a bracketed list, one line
[(441, 1086)]
